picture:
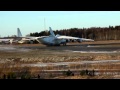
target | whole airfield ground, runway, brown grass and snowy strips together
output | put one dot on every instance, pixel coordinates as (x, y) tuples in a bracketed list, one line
[(51, 61)]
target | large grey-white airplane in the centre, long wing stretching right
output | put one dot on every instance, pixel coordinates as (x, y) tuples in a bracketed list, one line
[(53, 40)]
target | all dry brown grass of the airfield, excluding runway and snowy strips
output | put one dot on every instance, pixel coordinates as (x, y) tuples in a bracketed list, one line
[(14, 60)]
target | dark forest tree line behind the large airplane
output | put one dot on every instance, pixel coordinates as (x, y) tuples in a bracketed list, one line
[(96, 33)]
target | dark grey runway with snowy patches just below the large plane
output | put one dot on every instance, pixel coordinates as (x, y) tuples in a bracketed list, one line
[(86, 48)]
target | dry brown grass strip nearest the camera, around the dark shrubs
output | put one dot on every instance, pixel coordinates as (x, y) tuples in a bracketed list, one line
[(6, 68)]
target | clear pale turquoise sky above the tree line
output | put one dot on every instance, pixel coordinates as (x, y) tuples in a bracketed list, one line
[(37, 21)]
